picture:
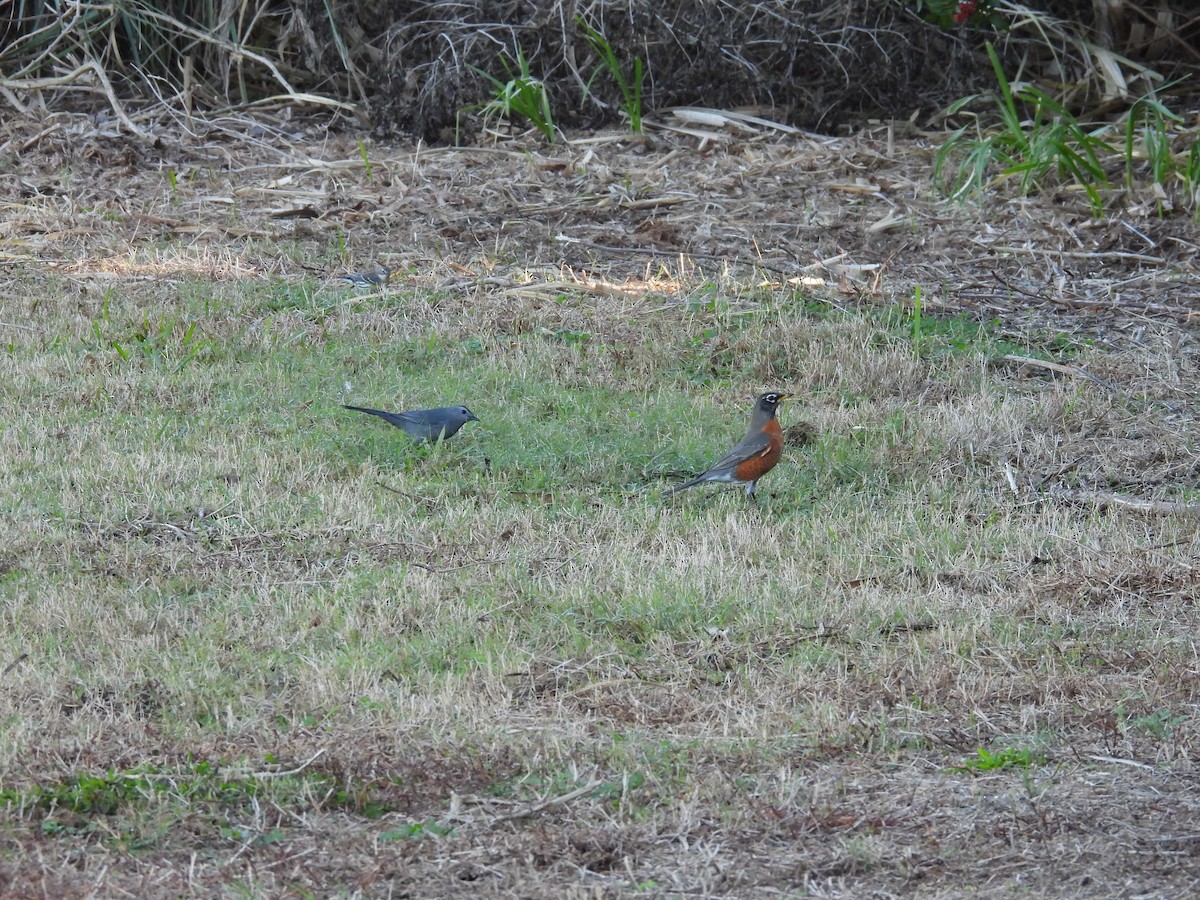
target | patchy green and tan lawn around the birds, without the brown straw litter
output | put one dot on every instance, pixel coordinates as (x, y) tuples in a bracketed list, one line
[(209, 560)]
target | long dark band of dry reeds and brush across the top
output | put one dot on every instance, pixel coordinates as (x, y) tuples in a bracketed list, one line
[(413, 68)]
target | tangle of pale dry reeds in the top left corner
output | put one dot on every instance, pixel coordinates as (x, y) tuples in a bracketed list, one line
[(170, 55)]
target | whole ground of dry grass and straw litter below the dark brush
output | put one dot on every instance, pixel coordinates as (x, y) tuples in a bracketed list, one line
[(201, 565)]
